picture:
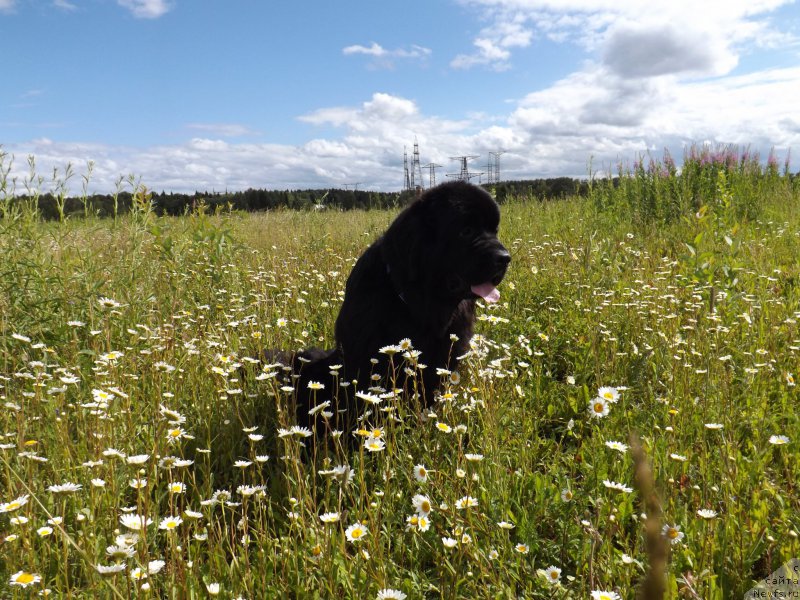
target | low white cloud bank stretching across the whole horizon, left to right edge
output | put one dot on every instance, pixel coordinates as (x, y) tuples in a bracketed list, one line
[(592, 113)]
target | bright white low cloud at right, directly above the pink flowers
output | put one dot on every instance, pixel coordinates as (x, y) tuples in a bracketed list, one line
[(595, 112)]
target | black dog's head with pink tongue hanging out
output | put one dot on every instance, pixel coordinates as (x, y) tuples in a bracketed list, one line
[(447, 242)]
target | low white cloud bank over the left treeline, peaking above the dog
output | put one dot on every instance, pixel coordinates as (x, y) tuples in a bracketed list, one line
[(368, 147)]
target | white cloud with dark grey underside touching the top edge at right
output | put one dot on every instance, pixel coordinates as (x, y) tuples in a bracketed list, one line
[(703, 37)]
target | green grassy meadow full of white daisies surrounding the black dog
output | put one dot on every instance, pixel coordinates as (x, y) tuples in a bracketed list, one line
[(147, 450)]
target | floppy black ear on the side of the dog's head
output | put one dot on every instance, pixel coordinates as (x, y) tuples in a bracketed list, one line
[(404, 243)]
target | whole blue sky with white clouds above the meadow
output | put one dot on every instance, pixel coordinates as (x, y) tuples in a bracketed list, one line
[(208, 95)]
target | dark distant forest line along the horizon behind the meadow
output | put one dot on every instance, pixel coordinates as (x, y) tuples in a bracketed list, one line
[(251, 200)]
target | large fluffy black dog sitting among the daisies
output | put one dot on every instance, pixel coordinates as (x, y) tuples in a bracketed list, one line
[(419, 281)]
